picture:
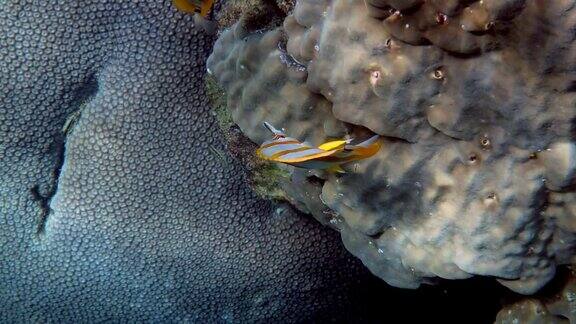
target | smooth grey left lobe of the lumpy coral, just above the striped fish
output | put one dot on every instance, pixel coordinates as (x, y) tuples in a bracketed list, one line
[(270, 88)]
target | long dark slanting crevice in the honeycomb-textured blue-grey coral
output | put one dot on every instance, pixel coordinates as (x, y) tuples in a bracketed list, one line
[(58, 149)]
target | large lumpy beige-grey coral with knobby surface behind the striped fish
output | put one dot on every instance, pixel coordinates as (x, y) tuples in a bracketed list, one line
[(475, 101)]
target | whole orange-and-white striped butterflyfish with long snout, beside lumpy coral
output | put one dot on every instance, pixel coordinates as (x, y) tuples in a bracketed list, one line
[(328, 156)]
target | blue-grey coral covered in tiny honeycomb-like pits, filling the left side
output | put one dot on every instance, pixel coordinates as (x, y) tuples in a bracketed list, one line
[(134, 219)]
